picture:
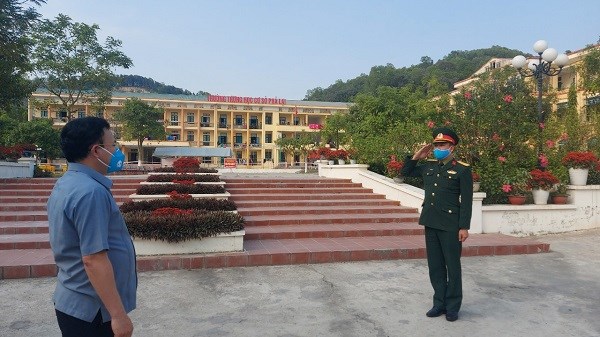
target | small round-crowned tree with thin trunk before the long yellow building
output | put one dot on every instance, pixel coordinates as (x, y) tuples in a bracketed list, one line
[(139, 121)]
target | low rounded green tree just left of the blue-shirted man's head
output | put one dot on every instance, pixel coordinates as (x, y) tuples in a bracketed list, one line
[(40, 133)]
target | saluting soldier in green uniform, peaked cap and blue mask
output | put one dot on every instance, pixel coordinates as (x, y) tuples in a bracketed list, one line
[(446, 216)]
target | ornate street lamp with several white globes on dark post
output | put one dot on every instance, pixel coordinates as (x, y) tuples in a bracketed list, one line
[(543, 65)]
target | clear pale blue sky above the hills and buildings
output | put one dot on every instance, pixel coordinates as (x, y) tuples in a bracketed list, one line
[(282, 48)]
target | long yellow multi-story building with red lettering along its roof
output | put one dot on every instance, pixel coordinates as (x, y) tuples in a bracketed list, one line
[(247, 125)]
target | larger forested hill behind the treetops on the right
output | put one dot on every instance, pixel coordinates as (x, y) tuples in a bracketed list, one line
[(432, 78)]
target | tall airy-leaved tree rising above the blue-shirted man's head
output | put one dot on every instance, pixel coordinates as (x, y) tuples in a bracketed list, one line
[(72, 65)]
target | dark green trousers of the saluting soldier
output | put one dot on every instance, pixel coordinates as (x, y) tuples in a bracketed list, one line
[(443, 258)]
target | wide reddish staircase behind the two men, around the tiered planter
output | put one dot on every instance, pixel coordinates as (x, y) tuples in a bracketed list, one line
[(288, 221)]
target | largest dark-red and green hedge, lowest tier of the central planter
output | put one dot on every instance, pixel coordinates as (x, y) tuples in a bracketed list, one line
[(177, 228)]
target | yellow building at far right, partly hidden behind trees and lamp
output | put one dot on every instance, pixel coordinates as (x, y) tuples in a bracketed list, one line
[(558, 84)]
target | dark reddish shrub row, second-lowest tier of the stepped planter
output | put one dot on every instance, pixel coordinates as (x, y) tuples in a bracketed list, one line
[(196, 204)]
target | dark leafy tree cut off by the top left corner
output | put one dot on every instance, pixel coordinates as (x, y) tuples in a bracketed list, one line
[(16, 23)]
